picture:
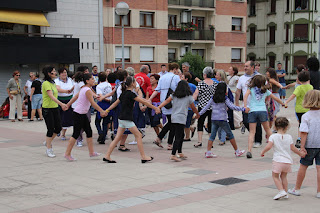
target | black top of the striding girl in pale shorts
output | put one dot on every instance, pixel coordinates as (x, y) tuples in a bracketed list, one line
[(127, 102)]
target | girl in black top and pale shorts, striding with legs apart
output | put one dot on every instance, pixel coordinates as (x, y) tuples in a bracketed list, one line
[(127, 99)]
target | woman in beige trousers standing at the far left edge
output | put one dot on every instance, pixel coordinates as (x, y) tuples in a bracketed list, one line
[(14, 93)]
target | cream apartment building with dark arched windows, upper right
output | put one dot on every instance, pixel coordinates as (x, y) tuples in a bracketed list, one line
[(282, 31)]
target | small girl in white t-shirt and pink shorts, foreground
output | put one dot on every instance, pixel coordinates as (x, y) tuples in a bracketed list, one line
[(282, 143)]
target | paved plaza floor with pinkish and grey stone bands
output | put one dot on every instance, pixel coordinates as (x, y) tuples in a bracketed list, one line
[(32, 182)]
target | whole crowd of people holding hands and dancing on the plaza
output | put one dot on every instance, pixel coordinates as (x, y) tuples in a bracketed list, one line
[(171, 100)]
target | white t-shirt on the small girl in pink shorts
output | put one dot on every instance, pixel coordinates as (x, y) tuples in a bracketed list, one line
[(281, 147)]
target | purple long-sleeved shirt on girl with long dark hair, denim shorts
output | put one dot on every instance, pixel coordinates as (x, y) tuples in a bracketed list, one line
[(219, 110)]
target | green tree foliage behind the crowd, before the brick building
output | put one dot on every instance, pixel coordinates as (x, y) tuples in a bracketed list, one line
[(196, 63)]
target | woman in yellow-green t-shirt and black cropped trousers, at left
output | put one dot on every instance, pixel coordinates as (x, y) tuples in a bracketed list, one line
[(50, 108)]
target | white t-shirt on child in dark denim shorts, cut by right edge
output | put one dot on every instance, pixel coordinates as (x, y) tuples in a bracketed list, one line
[(310, 123)]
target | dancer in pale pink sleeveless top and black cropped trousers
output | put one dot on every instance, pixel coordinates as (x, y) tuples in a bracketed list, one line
[(81, 121)]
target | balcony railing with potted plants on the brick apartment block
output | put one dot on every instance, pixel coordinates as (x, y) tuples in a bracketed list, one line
[(191, 35)]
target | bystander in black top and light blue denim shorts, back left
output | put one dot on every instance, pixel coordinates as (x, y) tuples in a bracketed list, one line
[(36, 98)]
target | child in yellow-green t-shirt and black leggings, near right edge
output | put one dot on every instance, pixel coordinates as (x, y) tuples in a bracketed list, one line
[(299, 93)]
